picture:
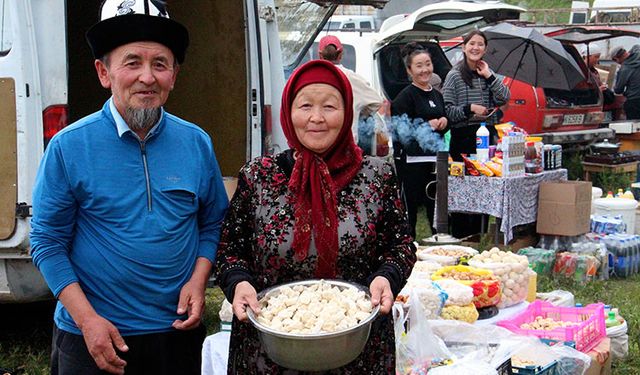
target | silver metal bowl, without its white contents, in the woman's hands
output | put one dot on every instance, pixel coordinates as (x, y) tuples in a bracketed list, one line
[(314, 352)]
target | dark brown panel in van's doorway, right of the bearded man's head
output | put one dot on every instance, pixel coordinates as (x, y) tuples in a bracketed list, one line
[(211, 89)]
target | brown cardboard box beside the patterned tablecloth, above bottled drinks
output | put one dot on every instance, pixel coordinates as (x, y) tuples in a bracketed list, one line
[(564, 208)]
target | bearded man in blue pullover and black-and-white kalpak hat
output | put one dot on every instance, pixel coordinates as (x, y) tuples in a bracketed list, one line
[(128, 205)]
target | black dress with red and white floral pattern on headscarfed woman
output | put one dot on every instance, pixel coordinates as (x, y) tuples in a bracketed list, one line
[(256, 246)]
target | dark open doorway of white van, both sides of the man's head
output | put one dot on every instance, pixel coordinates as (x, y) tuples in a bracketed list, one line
[(211, 89)]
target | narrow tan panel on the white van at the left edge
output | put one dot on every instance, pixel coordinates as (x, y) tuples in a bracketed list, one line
[(8, 161)]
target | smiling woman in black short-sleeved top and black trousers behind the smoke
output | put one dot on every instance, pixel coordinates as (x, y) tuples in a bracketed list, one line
[(419, 101)]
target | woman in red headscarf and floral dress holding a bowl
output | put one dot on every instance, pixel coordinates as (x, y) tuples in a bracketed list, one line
[(317, 210)]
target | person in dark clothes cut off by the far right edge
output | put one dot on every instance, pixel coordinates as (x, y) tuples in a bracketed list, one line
[(628, 79)]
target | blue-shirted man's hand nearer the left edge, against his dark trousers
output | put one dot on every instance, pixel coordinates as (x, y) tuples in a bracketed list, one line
[(101, 338)]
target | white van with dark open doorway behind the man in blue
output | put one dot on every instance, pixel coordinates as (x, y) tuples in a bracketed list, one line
[(230, 85)]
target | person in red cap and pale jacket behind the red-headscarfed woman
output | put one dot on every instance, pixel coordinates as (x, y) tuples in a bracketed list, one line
[(366, 100)]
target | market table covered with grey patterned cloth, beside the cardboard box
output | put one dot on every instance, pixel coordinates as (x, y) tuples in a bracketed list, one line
[(514, 200)]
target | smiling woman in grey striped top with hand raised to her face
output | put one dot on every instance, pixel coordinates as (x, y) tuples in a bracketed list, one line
[(471, 92)]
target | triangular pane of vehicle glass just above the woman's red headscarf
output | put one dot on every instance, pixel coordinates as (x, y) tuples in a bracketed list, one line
[(298, 23)]
